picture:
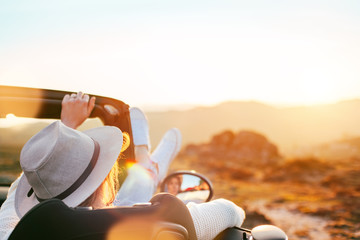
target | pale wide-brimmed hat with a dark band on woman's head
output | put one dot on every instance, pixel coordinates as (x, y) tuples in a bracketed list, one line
[(59, 159)]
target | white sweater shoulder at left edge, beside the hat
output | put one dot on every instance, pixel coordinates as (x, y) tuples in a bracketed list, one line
[(8, 216)]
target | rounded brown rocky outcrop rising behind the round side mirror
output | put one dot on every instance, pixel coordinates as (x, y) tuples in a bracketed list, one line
[(231, 155)]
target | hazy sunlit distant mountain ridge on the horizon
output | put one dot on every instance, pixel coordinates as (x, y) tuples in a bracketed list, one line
[(289, 128)]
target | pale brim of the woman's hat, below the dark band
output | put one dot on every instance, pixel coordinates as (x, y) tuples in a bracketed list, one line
[(110, 140)]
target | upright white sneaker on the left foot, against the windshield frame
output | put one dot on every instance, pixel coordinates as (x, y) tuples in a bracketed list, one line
[(140, 127)]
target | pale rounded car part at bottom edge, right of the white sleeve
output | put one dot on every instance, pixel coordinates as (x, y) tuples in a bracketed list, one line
[(268, 232)]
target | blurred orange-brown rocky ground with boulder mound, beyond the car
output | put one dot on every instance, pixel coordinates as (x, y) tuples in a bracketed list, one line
[(309, 197)]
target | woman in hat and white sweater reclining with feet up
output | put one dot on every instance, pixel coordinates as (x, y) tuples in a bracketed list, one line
[(80, 169)]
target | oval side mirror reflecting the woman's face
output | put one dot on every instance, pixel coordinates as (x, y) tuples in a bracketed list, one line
[(188, 186)]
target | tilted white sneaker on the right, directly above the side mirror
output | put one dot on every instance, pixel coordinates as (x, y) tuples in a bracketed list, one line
[(166, 151)]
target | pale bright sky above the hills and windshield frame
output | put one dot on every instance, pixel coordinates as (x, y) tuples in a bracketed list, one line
[(166, 54)]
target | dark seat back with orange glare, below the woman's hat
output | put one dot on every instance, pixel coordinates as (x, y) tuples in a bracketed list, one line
[(52, 219)]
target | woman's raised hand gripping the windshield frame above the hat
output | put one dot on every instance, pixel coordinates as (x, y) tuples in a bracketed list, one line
[(76, 108)]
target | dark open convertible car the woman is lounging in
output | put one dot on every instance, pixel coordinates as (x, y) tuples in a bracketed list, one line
[(25, 111)]
